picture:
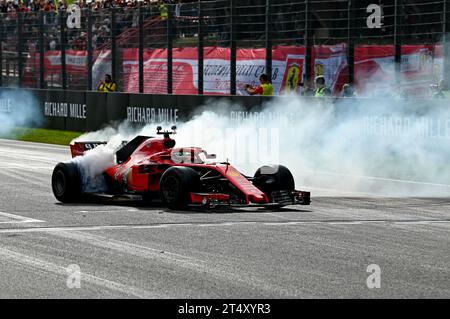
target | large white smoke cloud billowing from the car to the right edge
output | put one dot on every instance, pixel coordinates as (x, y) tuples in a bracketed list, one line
[(383, 147)]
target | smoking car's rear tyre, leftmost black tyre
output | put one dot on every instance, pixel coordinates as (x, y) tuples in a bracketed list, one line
[(66, 182)]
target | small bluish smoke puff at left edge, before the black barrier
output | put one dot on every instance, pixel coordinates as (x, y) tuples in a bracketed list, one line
[(18, 108)]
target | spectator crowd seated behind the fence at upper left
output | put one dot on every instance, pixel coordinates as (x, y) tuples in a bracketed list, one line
[(76, 39)]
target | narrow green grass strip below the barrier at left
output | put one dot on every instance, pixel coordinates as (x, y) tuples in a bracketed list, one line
[(40, 135)]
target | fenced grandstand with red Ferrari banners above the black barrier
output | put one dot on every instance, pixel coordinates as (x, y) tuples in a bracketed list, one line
[(213, 47)]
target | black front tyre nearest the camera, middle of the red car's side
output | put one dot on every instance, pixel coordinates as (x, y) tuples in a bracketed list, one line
[(176, 185)]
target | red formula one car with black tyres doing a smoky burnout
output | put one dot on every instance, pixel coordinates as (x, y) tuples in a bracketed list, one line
[(154, 170)]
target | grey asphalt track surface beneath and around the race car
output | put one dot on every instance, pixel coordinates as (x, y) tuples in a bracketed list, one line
[(126, 251)]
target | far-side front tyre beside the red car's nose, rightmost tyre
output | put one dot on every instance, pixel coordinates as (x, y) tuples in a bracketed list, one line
[(272, 178)]
